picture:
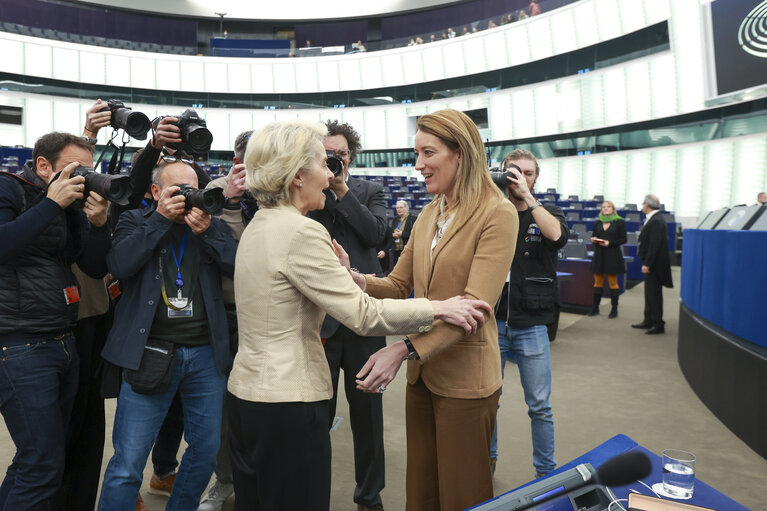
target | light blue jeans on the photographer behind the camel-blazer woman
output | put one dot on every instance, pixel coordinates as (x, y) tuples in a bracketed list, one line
[(530, 349)]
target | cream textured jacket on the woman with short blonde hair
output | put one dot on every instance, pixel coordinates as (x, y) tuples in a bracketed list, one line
[(286, 278)]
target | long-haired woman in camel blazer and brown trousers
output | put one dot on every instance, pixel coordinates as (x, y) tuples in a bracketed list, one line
[(462, 243)]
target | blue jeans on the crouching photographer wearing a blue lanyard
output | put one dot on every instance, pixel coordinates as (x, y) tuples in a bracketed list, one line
[(138, 419)]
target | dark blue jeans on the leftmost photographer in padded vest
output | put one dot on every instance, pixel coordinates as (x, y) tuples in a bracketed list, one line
[(38, 383)]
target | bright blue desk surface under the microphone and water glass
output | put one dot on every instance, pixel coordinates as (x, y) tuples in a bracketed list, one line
[(703, 494)]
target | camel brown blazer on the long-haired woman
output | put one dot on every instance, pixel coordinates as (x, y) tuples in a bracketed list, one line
[(471, 259)]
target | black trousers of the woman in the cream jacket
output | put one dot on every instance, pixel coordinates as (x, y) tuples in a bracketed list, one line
[(280, 454)]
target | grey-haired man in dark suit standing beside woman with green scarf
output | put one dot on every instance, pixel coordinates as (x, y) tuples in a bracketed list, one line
[(656, 267)]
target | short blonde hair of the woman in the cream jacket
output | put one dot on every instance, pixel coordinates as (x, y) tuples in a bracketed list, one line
[(275, 154)]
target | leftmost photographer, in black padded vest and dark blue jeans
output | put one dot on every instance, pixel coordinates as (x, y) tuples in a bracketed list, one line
[(43, 233)]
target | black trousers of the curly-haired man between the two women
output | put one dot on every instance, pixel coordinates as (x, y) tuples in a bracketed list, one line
[(348, 351)]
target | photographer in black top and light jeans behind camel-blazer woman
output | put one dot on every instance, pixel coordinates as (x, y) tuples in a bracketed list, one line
[(527, 304)]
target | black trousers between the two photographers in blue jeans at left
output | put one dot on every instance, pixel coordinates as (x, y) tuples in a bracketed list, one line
[(85, 441)]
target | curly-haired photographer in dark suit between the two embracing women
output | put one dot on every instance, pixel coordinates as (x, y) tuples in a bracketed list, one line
[(355, 216)]
